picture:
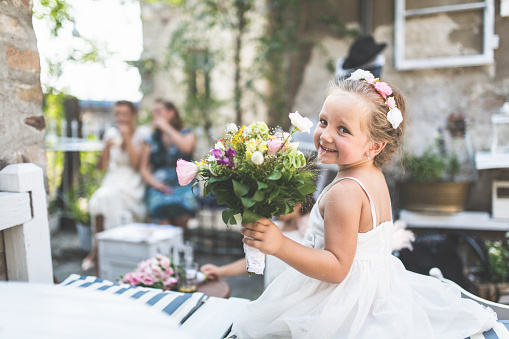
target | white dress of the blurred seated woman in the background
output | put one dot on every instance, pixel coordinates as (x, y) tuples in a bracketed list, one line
[(120, 197)]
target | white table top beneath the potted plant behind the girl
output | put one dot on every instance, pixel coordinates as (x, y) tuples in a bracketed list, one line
[(475, 221)]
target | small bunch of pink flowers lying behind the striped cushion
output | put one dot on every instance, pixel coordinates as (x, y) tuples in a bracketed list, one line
[(157, 272)]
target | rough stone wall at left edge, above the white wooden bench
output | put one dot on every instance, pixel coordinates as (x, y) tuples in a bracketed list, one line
[(21, 119)]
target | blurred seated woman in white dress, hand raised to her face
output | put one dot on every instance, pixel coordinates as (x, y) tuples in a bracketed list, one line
[(121, 192)]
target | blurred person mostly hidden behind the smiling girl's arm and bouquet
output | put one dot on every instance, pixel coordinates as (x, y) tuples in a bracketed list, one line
[(293, 225)]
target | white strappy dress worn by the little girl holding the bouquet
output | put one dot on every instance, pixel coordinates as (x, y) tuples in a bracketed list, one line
[(378, 299)]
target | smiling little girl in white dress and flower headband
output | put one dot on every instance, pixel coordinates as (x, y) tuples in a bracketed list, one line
[(344, 282)]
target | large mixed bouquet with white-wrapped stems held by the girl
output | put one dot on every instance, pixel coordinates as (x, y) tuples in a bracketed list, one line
[(255, 172)]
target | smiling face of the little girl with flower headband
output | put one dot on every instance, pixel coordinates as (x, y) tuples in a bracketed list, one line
[(339, 138)]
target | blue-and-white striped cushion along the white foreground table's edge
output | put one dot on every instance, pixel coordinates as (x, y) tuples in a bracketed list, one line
[(178, 305)]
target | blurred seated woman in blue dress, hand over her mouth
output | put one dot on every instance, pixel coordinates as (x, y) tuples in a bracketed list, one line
[(167, 202)]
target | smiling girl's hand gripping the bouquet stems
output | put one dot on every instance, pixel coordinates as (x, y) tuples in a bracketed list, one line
[(268, 237)]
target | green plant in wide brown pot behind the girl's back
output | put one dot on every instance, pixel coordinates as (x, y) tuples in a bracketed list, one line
[(431, 186)]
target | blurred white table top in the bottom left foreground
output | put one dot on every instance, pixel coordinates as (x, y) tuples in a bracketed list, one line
[(48, 311)]
